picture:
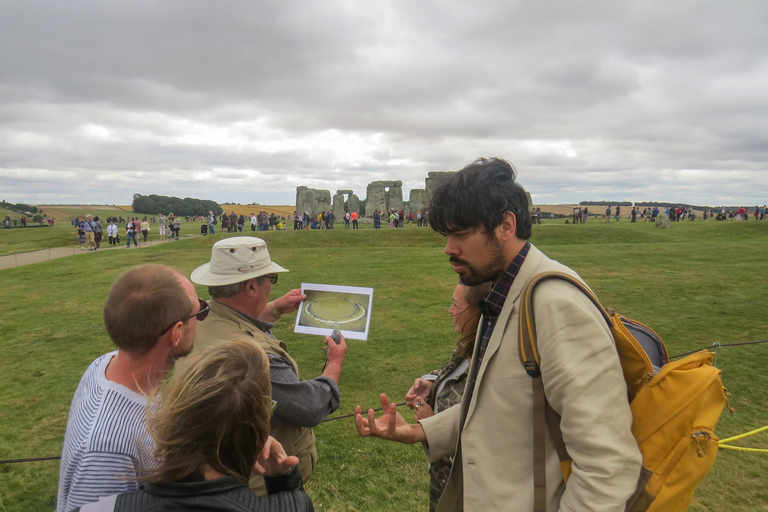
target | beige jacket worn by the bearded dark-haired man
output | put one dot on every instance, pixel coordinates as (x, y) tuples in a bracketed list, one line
[(583, 383)]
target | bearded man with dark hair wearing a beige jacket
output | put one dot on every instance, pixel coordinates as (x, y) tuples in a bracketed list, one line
[(482, 212)]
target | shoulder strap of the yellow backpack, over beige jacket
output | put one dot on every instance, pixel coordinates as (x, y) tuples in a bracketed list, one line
[(543, 413)]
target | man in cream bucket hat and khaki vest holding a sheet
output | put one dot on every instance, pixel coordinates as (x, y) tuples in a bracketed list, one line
[(239, 277)]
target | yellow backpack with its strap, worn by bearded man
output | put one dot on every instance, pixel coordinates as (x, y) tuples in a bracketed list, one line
[(675, 407)]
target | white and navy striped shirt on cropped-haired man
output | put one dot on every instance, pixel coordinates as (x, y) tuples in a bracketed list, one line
[(106, 439)]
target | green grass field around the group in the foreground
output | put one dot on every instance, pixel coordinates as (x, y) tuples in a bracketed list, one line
[(695, 284)]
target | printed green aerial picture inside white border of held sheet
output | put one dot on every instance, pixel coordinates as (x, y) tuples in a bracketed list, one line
[(334, 310)]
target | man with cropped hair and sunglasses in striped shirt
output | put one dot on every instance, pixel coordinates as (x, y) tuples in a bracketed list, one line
[(151, 316)]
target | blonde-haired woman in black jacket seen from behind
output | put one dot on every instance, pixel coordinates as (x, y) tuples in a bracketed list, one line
[(211, 431)]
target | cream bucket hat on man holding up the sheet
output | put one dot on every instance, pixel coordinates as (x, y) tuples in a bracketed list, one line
[(234, 260)]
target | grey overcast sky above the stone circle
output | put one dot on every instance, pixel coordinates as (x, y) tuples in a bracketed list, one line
[(244, 101)]
